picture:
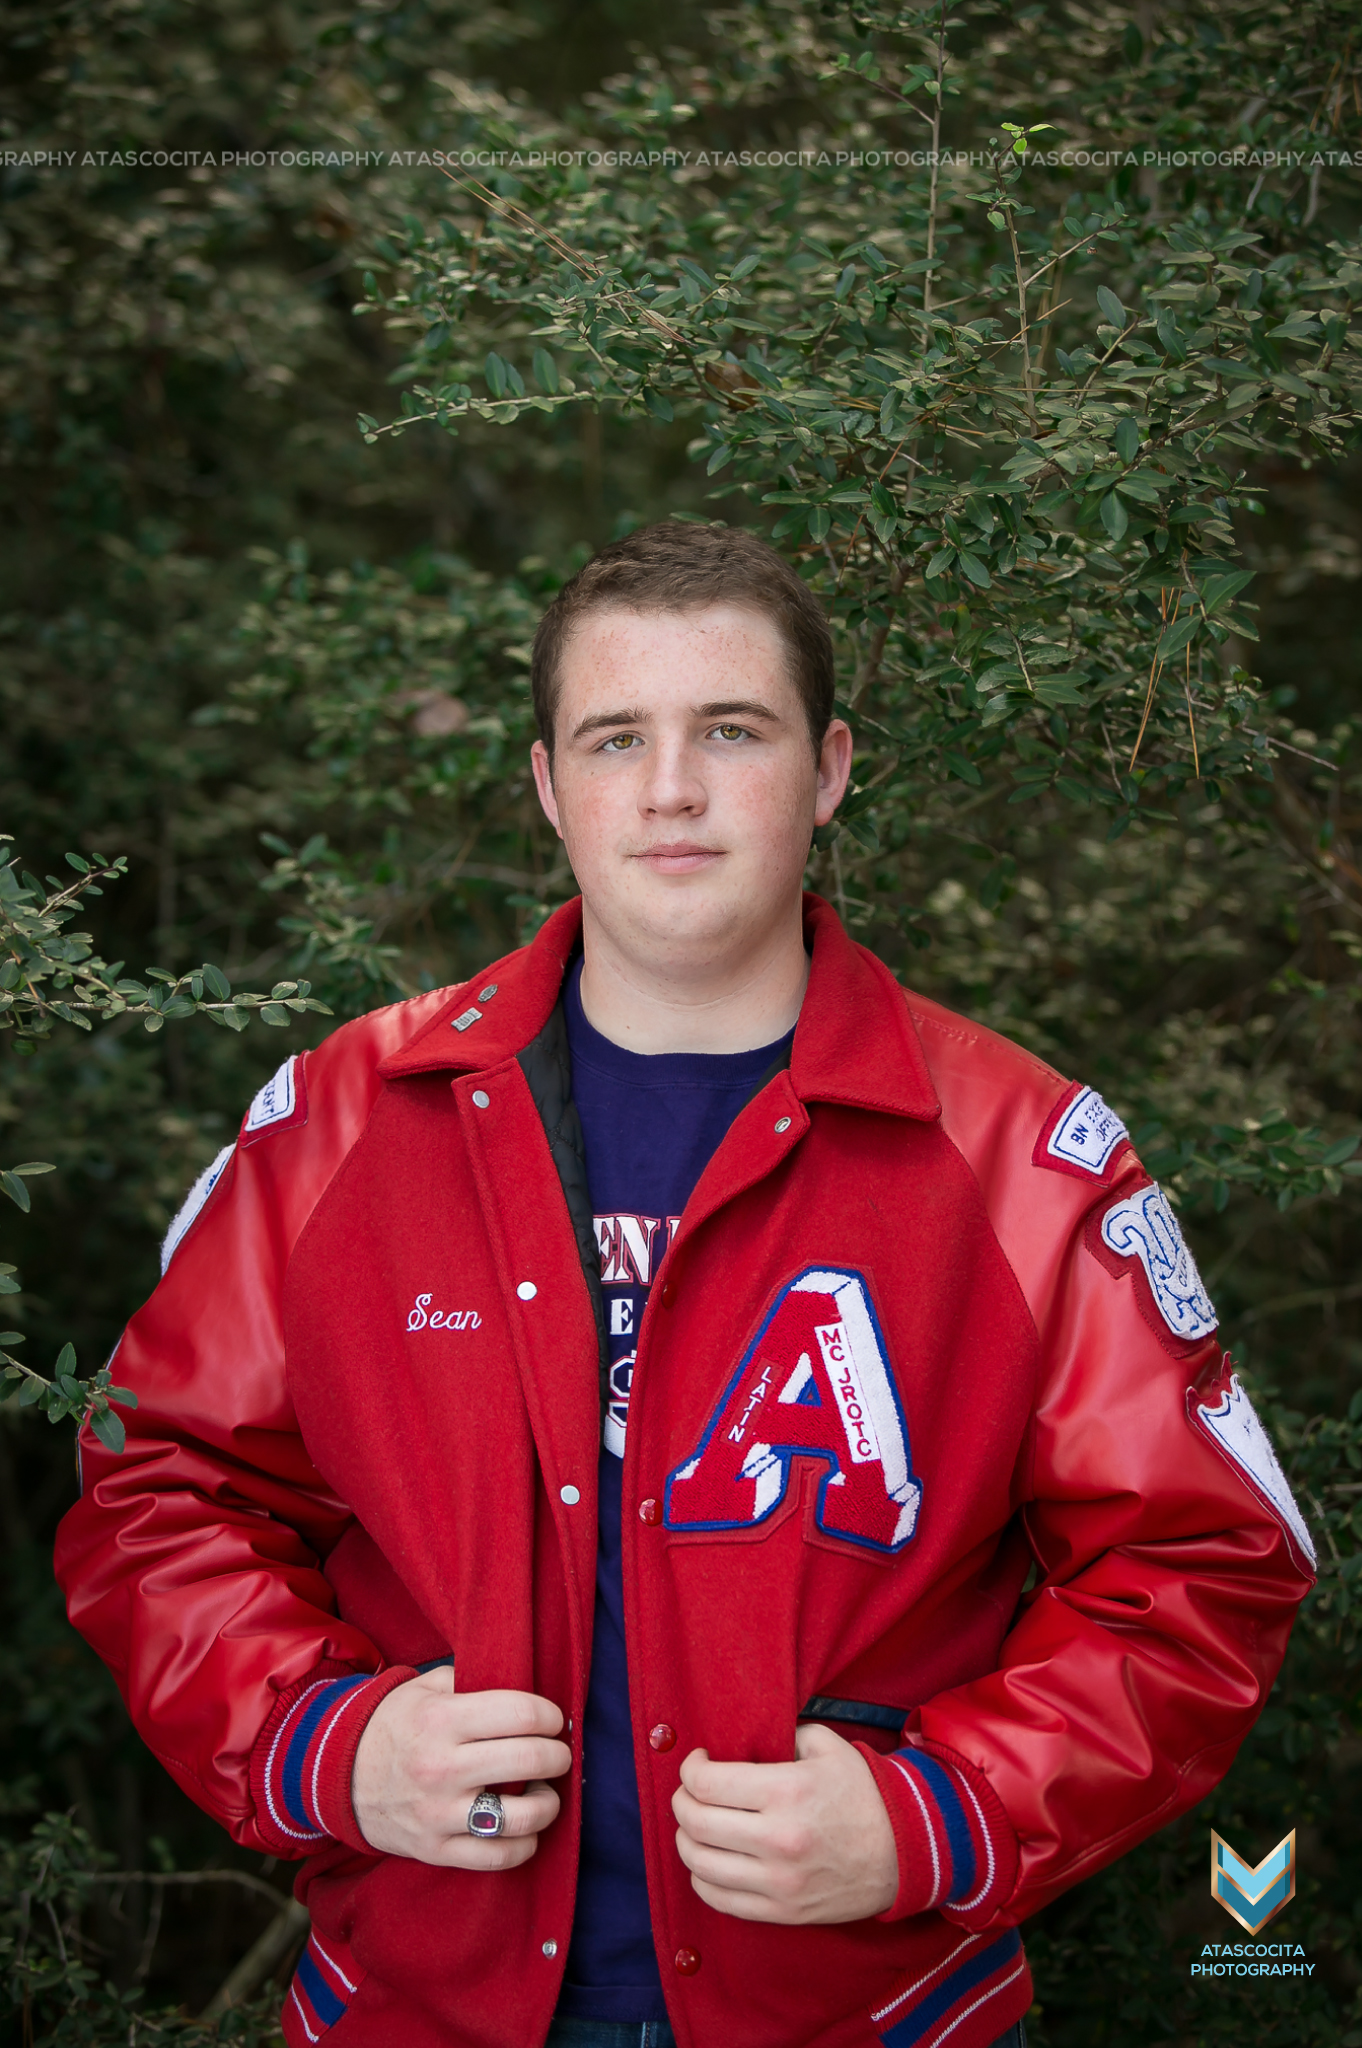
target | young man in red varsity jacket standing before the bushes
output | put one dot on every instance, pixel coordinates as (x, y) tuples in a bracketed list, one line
[(693, 1486)]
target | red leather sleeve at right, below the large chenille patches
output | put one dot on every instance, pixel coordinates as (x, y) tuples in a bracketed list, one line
[(1168, 1582)]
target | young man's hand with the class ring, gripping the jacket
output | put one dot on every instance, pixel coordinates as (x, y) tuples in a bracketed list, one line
[(429, 1752)]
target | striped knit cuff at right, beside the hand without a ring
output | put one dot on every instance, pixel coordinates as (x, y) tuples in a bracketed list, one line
[(957, 1848)]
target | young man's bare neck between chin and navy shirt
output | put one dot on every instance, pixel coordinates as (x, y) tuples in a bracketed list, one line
[(689, 1000)]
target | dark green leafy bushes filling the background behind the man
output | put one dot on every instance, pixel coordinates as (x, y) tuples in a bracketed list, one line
[(284, 669)]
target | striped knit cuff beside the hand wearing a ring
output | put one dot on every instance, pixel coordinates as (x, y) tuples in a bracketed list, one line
[(304, 1762)]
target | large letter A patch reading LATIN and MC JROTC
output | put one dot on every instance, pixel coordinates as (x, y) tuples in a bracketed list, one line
[(816, 1383)]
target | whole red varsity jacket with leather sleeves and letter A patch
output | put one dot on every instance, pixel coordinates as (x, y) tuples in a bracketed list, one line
[(925, 1324)]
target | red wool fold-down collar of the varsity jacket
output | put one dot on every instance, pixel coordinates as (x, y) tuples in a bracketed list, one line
[(855, 1039)]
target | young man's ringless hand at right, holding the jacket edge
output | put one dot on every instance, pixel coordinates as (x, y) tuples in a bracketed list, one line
[(796, 1844)]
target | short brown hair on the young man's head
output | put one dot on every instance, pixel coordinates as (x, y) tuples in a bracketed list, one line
[(679, 568)]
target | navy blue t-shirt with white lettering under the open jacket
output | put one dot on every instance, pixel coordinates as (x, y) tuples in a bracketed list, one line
[(650, 1123)]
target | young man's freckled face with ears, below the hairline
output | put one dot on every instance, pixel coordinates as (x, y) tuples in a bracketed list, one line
[(685, 783)]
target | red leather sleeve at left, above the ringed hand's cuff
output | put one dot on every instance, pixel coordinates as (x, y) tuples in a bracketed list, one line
[(194, 1562)]
